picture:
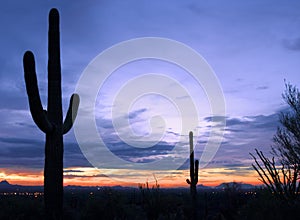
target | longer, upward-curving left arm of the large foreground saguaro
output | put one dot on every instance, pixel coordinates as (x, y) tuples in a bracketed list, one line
[(38, 114)]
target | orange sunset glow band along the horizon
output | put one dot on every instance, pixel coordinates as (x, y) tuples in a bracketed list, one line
[(83, 176)]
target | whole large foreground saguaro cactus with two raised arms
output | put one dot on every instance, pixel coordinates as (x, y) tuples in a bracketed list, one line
[(50, 121)]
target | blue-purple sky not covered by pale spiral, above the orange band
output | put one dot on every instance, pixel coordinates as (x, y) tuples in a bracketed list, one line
[(251, 46)]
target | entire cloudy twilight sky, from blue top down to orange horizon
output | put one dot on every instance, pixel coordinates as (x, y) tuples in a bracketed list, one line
[(252, 47)]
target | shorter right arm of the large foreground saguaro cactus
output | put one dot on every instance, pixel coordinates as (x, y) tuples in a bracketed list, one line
[(71, 114)]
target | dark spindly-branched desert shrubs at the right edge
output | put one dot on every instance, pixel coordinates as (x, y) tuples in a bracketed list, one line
[(281, 173)]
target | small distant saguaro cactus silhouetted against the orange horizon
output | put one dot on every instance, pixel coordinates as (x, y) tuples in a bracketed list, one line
[(194, 167)]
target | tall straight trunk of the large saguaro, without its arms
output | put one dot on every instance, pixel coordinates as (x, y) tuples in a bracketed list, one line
[(53, 170)]
